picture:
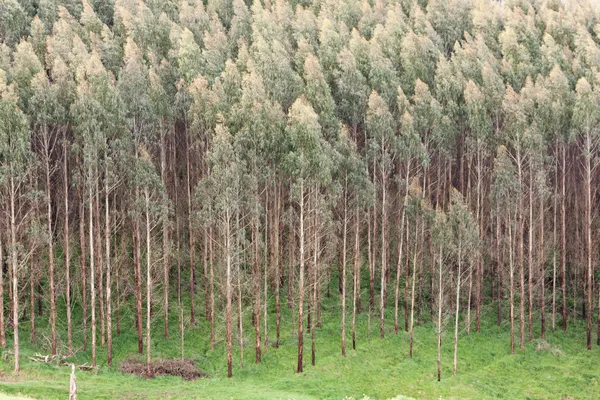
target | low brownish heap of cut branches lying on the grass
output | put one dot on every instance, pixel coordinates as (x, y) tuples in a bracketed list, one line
[(186, 369)]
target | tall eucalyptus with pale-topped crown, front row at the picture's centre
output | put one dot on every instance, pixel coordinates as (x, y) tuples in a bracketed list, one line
[(307, 164)]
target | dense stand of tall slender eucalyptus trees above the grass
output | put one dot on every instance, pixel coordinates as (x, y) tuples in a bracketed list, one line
[(420, 160)]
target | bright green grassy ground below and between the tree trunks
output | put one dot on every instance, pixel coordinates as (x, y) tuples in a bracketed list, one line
[(559, 367)]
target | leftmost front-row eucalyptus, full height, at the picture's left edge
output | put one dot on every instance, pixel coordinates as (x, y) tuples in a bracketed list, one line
[(14, 171)]
